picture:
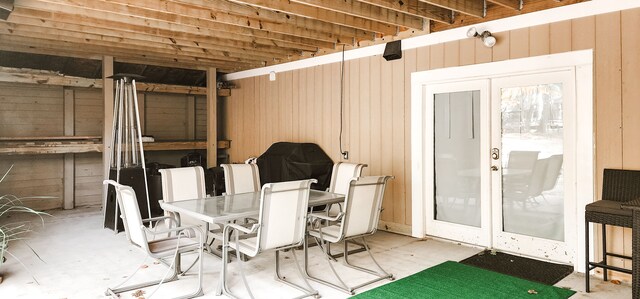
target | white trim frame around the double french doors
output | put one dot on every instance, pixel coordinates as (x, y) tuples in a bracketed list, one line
[(581, 61)]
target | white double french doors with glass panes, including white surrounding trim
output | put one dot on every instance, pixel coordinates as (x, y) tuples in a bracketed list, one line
[(495, 155)]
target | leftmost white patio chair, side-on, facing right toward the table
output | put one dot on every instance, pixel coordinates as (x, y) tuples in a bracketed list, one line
[(183, 241)]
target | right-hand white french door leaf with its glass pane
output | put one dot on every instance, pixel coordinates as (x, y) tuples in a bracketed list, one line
[(531, 195)]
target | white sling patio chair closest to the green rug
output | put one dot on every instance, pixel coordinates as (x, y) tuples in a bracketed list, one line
[(359, 219)]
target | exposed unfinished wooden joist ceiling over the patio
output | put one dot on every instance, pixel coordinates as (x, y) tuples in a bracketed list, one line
[(231, 35)]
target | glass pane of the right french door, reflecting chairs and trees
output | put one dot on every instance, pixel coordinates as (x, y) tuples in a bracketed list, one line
[(532, 188)]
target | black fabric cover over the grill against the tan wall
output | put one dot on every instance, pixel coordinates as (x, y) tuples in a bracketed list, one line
[(287, 161)]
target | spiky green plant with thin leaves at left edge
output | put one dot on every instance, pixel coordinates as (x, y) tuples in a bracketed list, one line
[(11, 231)]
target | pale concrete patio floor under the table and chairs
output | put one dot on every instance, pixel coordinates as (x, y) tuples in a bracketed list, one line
[(81, 260)]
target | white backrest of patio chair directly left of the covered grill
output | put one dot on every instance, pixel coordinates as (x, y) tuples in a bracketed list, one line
[(241, 178)]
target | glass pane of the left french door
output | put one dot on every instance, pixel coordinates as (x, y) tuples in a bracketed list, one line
[(457, 157)]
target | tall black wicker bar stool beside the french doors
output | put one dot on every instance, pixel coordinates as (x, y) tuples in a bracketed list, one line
[(618, 186)]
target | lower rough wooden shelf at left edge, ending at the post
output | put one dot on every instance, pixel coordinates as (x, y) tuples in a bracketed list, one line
[(50, 145)]
